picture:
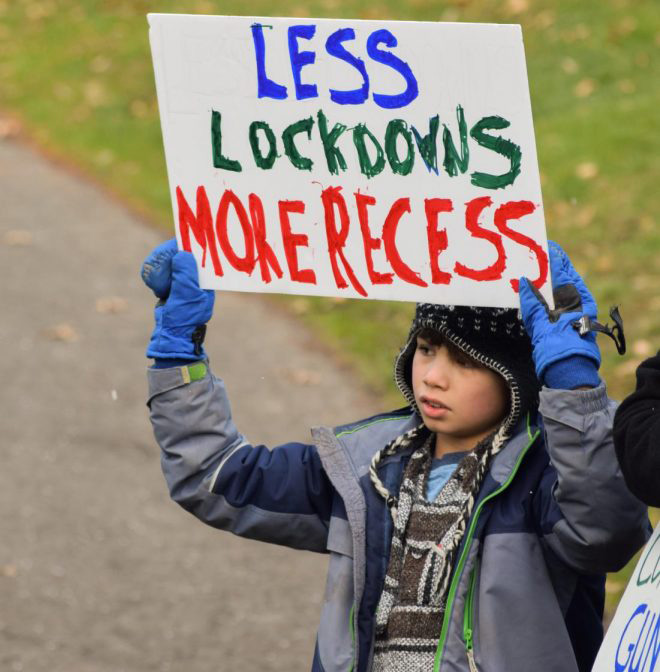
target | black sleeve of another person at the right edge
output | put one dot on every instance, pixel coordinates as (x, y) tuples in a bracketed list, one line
[(637, 434)]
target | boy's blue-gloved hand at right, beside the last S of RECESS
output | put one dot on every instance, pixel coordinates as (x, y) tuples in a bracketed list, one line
[(553, 332)]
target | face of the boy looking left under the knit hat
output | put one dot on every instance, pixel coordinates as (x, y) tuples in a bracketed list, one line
[(459, 399)]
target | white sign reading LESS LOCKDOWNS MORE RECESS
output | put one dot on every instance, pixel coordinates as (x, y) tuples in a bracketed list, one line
[(373, 159)]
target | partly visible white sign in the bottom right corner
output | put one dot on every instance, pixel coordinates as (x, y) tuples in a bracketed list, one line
[(632, 642)]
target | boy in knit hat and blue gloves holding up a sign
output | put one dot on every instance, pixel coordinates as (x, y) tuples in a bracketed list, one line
[(464, 532)]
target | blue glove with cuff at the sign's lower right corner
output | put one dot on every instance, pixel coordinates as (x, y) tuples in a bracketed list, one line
[(562, 350)]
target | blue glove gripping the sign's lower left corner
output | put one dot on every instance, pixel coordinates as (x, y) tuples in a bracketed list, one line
[(181, 317)]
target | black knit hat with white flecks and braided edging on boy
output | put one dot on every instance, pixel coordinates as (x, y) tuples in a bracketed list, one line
[(494, 337)]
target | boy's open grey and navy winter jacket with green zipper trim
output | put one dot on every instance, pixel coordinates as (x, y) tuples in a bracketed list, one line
[(553, 516)]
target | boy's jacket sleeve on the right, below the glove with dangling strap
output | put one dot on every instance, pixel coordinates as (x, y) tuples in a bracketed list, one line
[(589, 518)]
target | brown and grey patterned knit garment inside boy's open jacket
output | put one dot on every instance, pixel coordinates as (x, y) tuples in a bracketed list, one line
[(424, 542)]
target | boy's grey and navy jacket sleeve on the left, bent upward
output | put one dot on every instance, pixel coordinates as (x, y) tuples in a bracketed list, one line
[(281, 496)]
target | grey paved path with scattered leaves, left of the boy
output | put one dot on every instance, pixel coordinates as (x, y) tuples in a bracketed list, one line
[(99, 570)]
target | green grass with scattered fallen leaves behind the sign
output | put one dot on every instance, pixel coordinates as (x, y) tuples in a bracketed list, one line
[(78, 74)]
